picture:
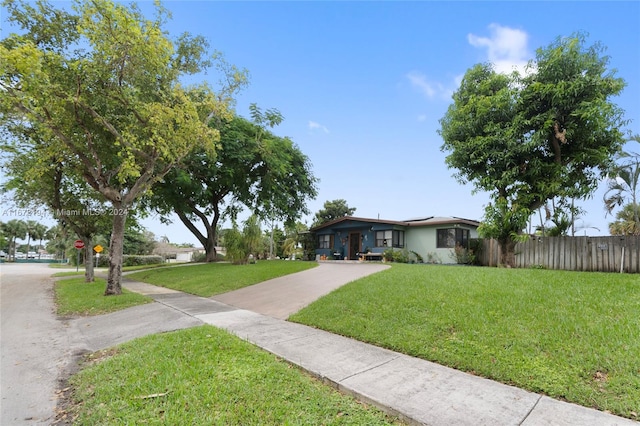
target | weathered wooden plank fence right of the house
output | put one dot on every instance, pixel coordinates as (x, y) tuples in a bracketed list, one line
[(602, 254)]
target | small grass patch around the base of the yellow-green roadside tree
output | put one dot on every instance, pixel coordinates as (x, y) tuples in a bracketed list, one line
[(75, 297)]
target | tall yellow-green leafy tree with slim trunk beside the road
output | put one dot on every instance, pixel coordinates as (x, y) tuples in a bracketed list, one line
[(102, 83)]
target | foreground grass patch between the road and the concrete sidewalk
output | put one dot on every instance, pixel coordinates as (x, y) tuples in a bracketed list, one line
[(205, 376)]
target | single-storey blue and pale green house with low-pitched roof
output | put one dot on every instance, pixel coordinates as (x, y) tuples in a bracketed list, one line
[(433, 238)]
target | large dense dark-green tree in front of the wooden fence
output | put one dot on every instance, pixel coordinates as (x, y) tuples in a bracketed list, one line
[(528, 138)]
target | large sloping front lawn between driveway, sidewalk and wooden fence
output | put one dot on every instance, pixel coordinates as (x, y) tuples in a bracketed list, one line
[(570, 335)]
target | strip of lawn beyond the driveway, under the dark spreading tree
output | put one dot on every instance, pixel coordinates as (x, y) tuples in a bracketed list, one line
[(210, 279)]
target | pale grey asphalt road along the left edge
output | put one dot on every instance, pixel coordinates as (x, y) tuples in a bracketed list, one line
[(34, 344)]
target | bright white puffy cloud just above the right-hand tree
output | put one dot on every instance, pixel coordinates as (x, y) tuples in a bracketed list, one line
[(506, 48)]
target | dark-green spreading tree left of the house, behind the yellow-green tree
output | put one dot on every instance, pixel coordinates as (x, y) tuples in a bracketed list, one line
[(253, 168)]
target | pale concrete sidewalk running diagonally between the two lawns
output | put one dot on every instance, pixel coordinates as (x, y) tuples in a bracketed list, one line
[(418, 391)]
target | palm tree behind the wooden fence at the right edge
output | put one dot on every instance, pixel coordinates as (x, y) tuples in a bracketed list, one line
[(624, 182)]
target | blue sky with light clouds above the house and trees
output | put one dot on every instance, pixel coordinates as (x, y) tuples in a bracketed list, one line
[(362, 87)]
